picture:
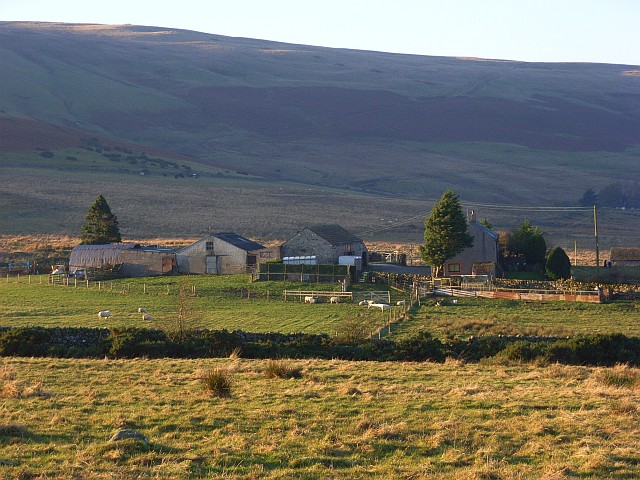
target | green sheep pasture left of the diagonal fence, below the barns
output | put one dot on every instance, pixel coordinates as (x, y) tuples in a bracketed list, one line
[(219, 302)]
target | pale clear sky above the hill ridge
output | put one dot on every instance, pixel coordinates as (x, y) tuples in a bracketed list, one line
[(599, 31)]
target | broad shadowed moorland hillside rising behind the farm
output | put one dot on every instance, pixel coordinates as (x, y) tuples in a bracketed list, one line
[(386, 131)]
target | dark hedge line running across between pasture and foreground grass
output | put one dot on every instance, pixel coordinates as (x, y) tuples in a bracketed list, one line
[(598, 350)]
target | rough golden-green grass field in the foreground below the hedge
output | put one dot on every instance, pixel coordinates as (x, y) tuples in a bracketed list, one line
[(346, 420)]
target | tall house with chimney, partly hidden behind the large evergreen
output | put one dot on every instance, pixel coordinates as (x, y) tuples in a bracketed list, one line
[(481, 258)]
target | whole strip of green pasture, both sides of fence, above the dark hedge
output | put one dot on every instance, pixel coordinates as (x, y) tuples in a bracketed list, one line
[(234, 303)]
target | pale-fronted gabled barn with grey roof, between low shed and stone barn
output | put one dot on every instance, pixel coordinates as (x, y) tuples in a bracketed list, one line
[(224, 253)]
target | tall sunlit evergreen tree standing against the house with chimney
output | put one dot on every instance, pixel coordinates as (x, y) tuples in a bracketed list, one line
[(445, 232)]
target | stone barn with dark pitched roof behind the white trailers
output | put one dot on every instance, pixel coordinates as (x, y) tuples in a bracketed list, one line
[(327, 243)]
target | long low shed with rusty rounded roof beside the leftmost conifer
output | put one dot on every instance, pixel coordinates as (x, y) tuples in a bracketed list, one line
[(133, 259)]
